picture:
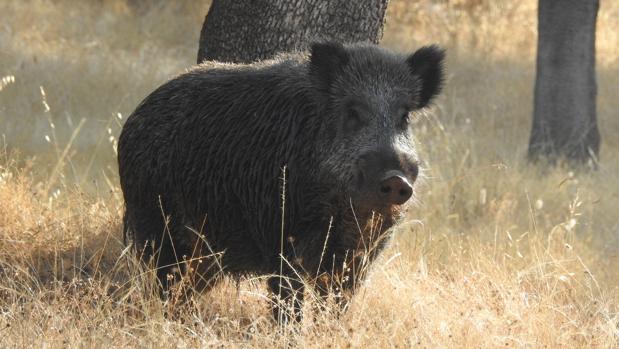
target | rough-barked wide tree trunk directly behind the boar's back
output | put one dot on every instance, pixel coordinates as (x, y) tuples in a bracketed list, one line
[(247, 30)]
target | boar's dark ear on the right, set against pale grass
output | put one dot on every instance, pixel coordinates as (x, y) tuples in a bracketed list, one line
[(427, 65)]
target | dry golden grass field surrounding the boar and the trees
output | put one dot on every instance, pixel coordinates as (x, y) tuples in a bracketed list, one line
[(496, 254)]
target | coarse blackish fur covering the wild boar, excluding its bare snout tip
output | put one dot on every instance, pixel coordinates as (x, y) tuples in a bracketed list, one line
[(228, 167)]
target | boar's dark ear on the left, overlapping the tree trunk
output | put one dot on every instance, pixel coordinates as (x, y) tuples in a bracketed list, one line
[(326, 61)]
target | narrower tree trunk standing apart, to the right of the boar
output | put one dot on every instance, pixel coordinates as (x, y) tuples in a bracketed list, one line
[(564, 116)]
